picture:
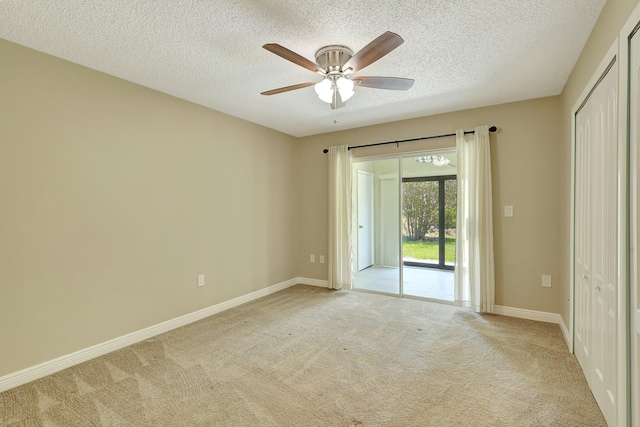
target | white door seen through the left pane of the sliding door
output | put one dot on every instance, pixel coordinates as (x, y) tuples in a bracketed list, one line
[(365, 219)]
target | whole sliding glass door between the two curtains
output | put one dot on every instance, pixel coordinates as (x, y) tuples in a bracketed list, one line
[(405, 225)]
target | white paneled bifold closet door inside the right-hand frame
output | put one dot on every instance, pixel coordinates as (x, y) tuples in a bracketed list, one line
[(596, 213)]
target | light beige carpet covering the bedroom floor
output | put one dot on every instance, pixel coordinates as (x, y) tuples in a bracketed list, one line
[(312, 357)]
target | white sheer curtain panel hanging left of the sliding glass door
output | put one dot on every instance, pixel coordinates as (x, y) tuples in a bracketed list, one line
[(340, 250)]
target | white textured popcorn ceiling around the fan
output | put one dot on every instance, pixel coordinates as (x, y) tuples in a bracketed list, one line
[(462, 53)]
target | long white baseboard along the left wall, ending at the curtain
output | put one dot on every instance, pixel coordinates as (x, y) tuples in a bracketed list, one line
[(52, 366)]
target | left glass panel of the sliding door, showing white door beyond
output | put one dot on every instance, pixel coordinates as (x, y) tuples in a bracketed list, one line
[(376, 201)]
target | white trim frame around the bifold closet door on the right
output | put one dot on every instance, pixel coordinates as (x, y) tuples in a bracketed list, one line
[(617, 52)]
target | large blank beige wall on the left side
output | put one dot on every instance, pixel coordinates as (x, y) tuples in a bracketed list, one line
[(115, 197)]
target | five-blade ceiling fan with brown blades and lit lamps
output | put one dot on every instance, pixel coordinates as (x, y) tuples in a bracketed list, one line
[(335, 62)]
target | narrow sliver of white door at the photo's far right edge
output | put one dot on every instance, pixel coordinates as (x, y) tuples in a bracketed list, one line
[(634, 238)]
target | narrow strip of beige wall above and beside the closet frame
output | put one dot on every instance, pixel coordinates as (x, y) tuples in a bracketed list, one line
[(613, 16)]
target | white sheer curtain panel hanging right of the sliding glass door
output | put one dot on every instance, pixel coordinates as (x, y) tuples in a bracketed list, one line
[(474, 278)]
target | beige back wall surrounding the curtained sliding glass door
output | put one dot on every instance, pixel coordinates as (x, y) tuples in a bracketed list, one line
[(526, 172)]
